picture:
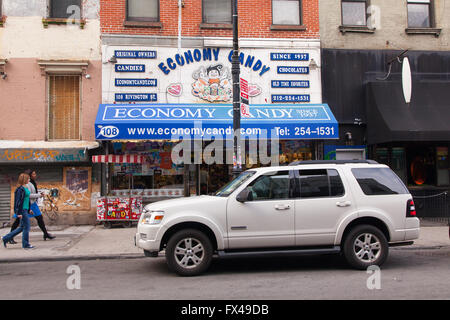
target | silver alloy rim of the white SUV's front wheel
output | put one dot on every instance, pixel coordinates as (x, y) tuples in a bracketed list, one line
[(189, 253)]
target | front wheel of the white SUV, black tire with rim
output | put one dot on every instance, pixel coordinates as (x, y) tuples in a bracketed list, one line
[(189, 252)]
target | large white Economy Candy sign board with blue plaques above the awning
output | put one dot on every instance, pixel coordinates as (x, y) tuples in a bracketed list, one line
[(203, 75)]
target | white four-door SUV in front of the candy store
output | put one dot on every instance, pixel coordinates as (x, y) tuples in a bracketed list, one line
[(358, 208)]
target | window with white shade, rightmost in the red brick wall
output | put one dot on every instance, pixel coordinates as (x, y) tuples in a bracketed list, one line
[(287, 12)]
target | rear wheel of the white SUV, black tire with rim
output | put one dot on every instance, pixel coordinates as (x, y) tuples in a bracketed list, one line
[(364, 246)]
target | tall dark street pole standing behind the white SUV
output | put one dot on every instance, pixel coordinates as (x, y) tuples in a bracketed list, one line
[(235, 71)]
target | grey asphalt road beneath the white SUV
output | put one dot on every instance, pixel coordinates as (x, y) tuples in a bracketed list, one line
[(408, 274)]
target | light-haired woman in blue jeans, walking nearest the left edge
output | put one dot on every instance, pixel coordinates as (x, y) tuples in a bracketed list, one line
[(21, 209)]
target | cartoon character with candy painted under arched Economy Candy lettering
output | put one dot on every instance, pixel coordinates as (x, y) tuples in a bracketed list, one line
[(213, 83)]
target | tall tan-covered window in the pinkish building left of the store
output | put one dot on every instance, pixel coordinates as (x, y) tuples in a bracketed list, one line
[(64, 107)]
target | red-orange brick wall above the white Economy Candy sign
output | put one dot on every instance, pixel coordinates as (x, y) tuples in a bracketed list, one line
[(255, 20)]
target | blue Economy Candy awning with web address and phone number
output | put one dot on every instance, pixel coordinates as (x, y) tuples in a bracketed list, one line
[(212, 121)]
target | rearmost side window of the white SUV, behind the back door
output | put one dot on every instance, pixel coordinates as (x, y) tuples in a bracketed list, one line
[(379, 181)]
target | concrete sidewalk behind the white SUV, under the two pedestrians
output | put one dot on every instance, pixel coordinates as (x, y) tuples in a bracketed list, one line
[(95, 242)]
